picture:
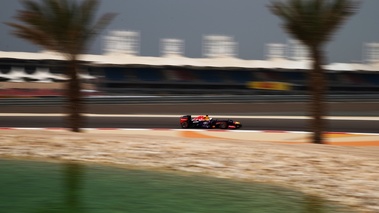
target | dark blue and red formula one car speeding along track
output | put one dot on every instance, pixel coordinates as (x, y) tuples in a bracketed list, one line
[(186, 121)]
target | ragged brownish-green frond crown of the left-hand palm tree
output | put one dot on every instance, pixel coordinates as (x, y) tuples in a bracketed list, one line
[(66, 26)]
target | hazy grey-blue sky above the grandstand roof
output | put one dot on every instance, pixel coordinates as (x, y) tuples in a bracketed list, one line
[(249, 21)]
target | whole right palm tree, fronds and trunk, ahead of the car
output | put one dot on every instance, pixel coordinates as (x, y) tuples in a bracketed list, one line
[(313, 22)]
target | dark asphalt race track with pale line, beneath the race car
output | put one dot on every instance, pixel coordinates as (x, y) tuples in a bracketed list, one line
[(279, 116)]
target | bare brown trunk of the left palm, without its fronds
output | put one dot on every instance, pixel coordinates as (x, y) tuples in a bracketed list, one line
[(75, 106)]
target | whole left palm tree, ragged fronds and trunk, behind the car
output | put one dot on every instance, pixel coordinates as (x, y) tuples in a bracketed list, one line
[(67, 27)]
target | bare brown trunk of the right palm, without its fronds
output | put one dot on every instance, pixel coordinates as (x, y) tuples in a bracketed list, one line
[(317, 102)]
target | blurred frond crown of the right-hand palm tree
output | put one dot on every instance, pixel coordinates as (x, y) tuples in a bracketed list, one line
[(313, 21)]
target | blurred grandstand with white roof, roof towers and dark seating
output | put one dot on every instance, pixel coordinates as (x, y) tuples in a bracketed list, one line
[(121, 70)]
